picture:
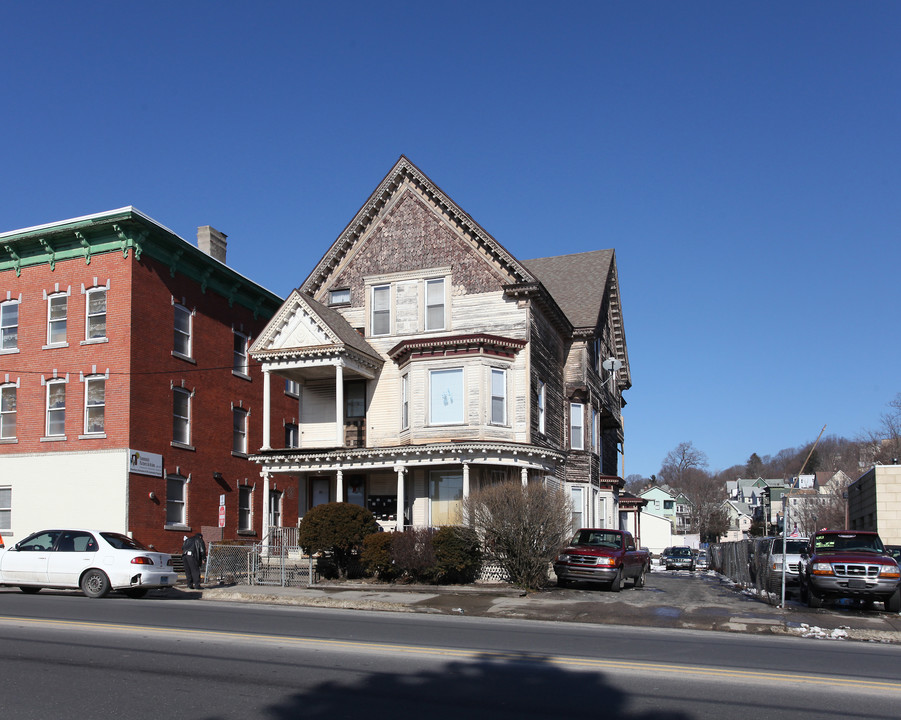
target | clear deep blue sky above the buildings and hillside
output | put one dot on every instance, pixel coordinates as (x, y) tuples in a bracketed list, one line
[(744, 160)]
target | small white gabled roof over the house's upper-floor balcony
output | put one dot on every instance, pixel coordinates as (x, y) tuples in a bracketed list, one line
[(303, 324)]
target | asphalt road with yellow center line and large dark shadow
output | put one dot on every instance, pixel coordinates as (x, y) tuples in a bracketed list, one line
[(66, 655)]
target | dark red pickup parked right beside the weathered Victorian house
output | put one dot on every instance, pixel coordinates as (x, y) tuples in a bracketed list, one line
[(603, 556)]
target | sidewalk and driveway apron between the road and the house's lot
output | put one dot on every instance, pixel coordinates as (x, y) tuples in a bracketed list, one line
[(670, 599)]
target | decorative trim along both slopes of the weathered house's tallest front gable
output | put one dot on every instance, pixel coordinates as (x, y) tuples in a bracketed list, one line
[(403, 181)]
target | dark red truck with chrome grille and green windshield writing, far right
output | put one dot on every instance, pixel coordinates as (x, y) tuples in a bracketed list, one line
[(849, 564)]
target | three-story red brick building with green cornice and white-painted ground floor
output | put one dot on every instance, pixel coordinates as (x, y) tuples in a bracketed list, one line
[(128, 400)]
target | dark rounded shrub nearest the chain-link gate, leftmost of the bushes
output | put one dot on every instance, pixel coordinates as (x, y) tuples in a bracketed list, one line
[(337, 528)]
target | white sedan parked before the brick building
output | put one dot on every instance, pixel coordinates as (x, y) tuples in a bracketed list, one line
[(92, 560)]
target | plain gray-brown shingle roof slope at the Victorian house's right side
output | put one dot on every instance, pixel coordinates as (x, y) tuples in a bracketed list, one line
[(577, 283)]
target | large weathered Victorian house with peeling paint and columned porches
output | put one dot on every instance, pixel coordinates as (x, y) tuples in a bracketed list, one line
[(428, 362)]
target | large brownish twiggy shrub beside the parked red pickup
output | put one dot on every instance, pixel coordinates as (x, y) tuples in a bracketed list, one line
[(521, 528)]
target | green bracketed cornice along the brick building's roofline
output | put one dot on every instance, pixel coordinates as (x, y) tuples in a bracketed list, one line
[(127, 230)]
